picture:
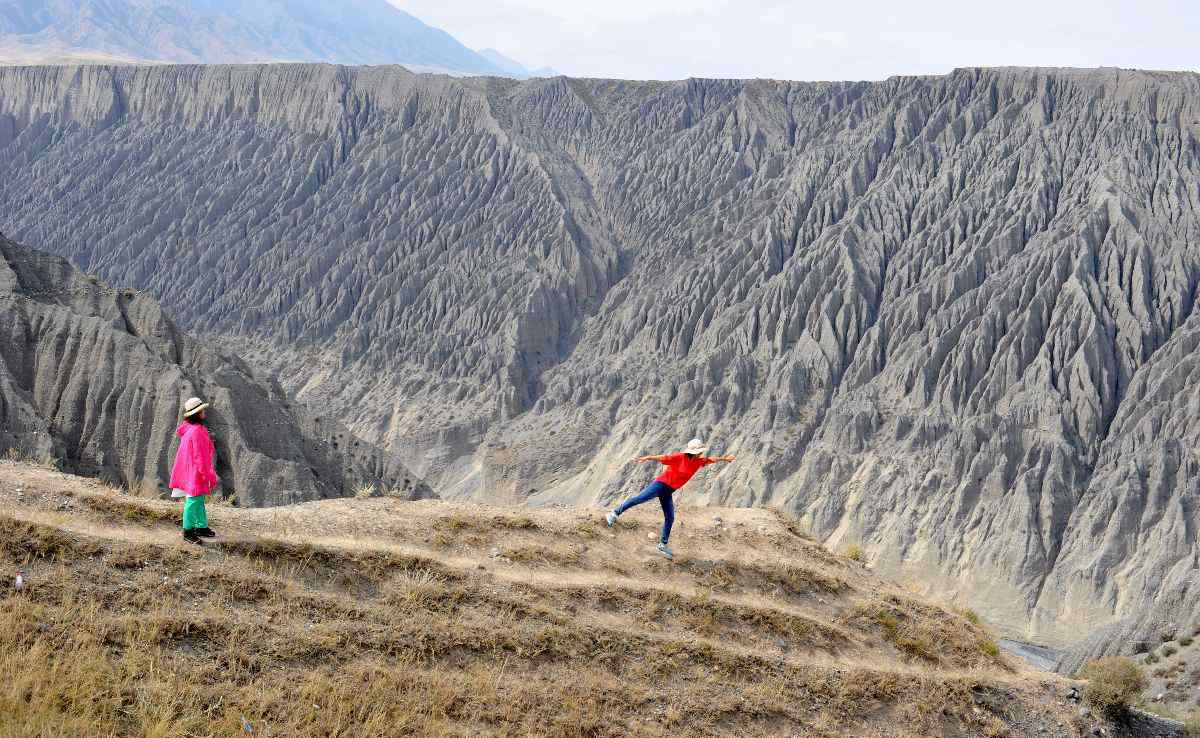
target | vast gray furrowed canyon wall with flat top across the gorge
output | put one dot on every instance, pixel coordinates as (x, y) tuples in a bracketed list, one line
[(949, 319)]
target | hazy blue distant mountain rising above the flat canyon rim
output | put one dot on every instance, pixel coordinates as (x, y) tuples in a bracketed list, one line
[(223, 32)]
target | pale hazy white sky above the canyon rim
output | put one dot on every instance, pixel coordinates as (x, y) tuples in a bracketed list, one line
[(829, 40)]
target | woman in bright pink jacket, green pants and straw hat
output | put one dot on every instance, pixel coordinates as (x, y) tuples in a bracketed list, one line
[(194, 476)]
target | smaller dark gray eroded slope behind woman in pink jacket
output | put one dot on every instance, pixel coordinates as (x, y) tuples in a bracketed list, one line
[(97, 377)]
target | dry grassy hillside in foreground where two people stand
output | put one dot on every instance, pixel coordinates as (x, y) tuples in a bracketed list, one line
[(375, 617)]
